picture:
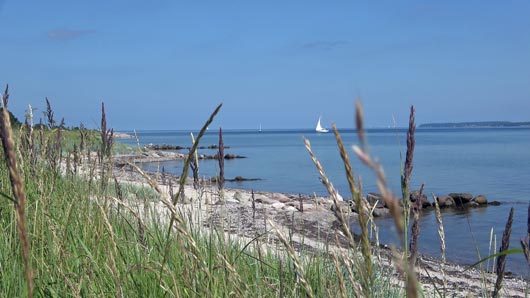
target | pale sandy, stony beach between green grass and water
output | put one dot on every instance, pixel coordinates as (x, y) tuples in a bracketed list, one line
[(313, 226)]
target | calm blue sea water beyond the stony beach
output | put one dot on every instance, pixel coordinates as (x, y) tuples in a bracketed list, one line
[(494, 162)]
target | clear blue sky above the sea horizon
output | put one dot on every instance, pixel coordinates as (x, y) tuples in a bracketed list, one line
[(167, 64)]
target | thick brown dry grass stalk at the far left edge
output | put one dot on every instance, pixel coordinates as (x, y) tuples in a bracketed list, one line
[(17, 185)]
